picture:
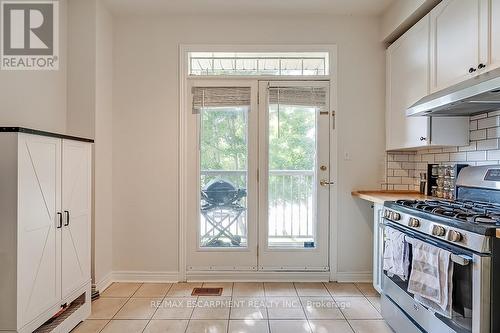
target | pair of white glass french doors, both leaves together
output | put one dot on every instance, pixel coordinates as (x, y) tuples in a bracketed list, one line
[(256, 155)]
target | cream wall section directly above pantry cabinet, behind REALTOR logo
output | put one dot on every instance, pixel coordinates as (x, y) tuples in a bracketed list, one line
[(37, 99)]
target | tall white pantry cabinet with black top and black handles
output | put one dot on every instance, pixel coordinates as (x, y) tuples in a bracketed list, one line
[(45, 202)]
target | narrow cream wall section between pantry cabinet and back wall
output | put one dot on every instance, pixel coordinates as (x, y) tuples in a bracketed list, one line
[(89, 114)]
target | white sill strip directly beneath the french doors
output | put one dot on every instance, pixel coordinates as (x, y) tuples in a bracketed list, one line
[(257, 276)]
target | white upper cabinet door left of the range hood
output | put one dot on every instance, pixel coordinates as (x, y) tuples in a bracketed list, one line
[(407, 82)]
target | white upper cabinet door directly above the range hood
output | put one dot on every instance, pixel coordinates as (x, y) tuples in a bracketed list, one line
[(459, 41)]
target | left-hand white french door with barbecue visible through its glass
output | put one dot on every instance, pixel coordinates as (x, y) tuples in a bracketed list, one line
[(222, 182)]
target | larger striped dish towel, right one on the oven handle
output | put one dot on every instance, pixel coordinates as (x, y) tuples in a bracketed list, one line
[(431, 277)]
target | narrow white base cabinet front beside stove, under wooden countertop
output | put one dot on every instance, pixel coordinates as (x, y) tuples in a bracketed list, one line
[(378, 247)]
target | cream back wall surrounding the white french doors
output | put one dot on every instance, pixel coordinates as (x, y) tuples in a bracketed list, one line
[(145, 125)]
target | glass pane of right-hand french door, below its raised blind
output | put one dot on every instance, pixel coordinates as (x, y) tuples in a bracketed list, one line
[(292, 165)]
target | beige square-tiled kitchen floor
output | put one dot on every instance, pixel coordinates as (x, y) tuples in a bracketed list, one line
[(242, 308)]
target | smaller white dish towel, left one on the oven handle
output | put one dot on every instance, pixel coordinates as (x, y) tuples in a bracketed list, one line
[(396, 256)]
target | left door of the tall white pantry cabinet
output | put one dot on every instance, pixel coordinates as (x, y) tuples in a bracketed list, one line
[(39, 201)]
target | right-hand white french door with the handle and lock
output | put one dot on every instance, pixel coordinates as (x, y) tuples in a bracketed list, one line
[(294, 171)]
